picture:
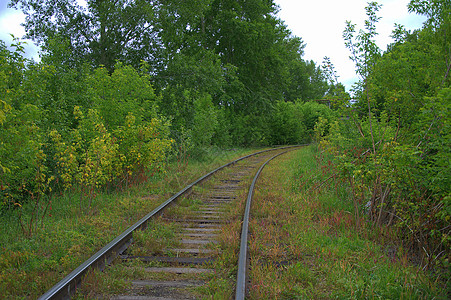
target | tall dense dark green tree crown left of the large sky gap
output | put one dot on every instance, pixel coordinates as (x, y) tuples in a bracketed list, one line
[(240, 54)]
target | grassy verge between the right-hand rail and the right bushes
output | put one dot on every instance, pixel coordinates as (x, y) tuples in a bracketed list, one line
[(305, 245)]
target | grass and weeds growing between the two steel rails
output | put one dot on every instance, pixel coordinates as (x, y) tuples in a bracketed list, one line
[(160, 234)]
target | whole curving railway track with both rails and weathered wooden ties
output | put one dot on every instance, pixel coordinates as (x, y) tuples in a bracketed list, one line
[(173, 252)]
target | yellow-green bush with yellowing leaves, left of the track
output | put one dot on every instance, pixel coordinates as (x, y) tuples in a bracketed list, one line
[(93, 157)]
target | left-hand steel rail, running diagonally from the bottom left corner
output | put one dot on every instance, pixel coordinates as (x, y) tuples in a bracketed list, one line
[(67, 286)]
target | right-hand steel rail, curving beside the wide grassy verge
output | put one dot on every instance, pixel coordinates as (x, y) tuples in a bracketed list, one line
[(242, 260)]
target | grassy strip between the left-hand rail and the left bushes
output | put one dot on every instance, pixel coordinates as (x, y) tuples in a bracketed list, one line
[(70, 233)]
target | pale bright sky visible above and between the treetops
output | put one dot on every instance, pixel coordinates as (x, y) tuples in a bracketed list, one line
[(320, 24)]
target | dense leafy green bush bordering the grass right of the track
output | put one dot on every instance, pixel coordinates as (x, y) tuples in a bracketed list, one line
[(403, 178)]
